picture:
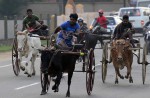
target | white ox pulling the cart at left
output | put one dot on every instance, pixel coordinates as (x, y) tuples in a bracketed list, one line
[(27, 47)]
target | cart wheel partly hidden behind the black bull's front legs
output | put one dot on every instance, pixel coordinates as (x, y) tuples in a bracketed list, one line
[(45, 81)]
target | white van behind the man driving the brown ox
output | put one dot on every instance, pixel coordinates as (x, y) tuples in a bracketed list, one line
[(138, 16)]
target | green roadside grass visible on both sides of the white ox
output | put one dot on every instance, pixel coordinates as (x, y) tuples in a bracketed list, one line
[(6, 48)]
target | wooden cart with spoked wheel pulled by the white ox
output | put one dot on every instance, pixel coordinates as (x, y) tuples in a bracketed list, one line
[(15, 57)]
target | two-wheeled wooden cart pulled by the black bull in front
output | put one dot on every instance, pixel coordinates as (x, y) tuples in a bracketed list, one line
[(88, 64)]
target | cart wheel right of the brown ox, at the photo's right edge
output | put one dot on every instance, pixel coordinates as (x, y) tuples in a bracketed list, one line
[(144, 62)]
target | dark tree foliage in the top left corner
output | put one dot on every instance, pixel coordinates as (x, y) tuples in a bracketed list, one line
[(11, 7)]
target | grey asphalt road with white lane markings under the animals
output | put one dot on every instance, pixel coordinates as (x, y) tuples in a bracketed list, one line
[(29, 87)]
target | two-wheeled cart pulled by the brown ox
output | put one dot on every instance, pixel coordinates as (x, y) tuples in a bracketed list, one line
[(141, 58)]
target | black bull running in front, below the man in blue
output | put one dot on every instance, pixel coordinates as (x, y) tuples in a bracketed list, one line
[(58, 63)]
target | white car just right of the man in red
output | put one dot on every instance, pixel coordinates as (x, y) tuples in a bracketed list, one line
[(113, 22)]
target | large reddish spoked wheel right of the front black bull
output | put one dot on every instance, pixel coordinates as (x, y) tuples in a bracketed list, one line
[(90, 72)]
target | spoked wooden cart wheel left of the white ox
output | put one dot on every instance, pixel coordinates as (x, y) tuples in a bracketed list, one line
[(15, 62)]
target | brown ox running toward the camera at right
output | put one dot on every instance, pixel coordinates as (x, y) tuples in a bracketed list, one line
[(121, 56)]
